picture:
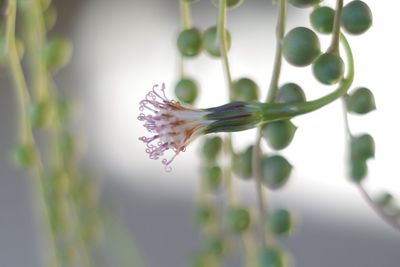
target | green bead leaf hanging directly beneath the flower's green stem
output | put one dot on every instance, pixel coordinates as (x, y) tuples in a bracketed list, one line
[(279, 134)]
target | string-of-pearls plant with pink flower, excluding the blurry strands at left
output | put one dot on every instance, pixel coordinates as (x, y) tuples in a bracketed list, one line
[(175, 124)]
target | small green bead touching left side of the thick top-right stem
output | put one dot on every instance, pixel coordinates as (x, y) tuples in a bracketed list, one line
[(322, 19)]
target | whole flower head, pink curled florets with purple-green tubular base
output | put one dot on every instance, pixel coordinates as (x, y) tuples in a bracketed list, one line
[(174, 126)]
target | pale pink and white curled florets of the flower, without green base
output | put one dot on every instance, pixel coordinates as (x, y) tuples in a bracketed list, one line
[(173, 125)]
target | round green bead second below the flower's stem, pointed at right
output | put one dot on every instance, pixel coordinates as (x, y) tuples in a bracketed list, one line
[(276, 171)]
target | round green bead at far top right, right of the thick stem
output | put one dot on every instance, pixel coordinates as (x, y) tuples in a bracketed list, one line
[(356, 17)]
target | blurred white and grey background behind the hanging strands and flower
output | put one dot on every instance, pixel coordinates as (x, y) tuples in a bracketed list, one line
[(122, 48)]
